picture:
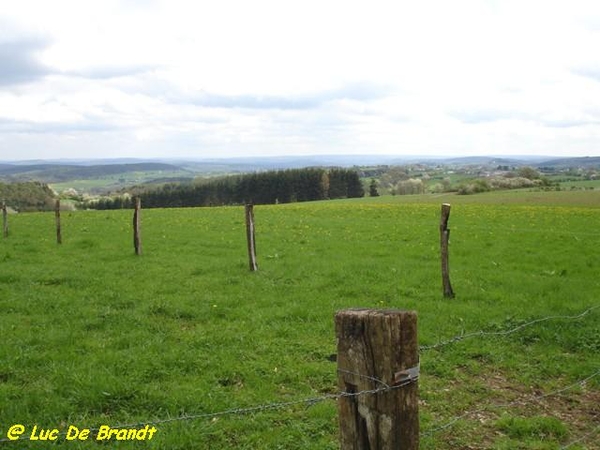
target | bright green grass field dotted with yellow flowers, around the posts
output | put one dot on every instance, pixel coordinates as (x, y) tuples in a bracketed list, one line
[(92, 335)]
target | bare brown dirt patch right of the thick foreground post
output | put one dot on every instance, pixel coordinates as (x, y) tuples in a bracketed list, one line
[(577, 408)]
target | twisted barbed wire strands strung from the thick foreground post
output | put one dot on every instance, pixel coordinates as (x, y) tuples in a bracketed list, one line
[(381, 387)]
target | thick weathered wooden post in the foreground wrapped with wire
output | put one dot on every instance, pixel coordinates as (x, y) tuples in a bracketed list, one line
[(378, 369)]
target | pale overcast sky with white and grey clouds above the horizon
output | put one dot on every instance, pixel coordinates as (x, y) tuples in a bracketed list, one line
[(206, 78)]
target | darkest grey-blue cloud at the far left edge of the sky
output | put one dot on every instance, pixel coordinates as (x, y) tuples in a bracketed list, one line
[(19, 62)]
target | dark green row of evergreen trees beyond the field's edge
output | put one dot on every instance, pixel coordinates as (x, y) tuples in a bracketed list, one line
[(282, 186)]
